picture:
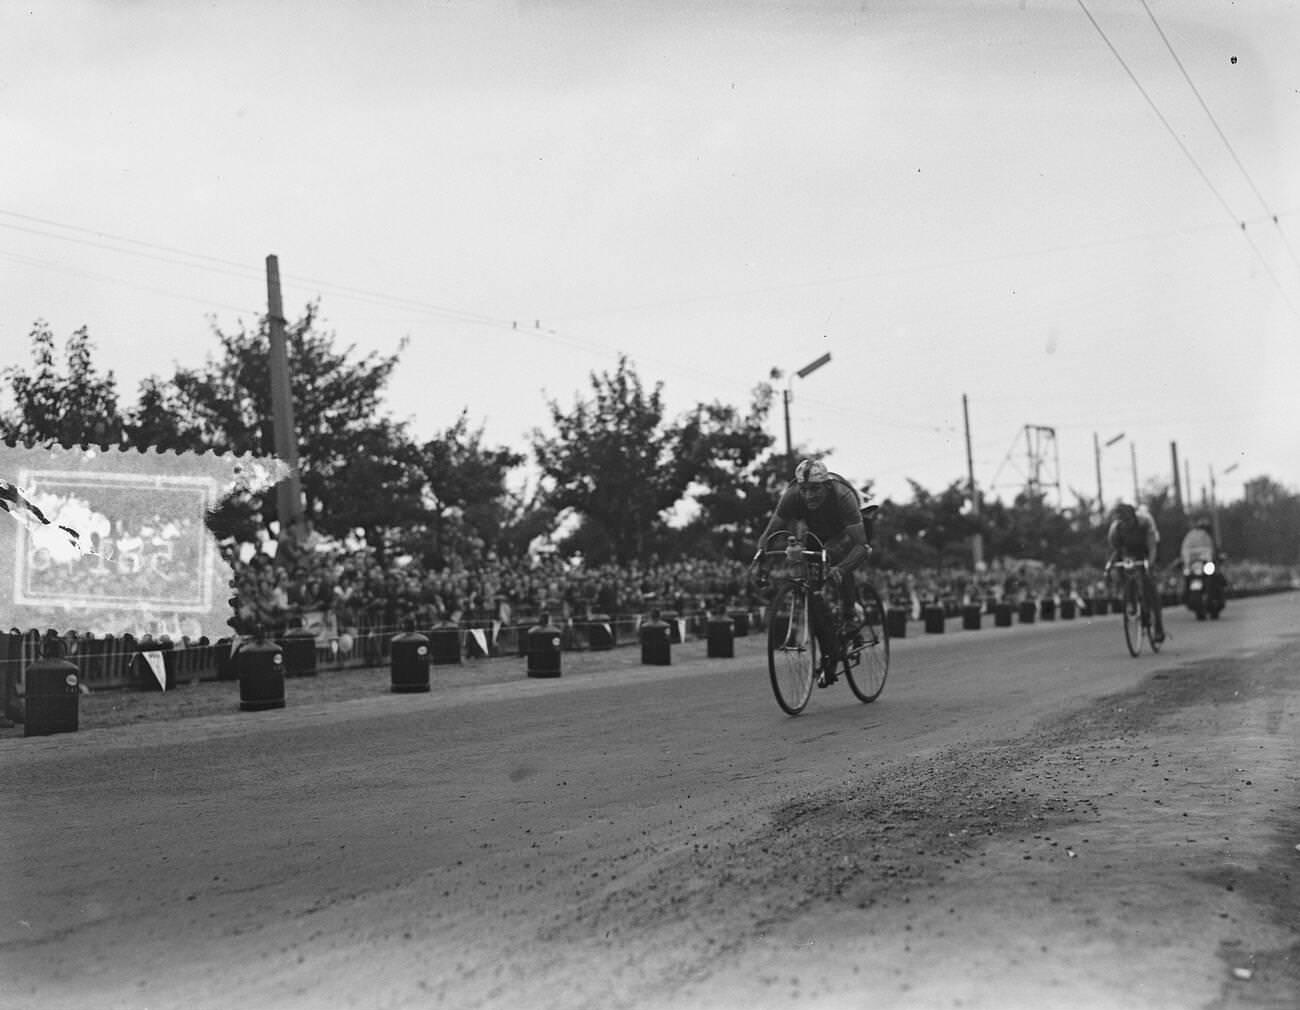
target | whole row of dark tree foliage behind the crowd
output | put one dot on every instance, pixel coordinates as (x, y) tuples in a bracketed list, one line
[(614, 460)]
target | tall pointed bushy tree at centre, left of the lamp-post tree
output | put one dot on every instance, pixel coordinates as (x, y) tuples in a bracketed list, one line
[(616, 462)]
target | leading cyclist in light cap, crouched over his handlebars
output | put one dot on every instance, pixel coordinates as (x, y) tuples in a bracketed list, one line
[(826, 505)]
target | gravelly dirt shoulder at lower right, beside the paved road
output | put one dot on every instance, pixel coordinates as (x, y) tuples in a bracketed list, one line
[(1142, 853)]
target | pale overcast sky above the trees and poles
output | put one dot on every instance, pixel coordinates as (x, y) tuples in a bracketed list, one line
[(950, 197)]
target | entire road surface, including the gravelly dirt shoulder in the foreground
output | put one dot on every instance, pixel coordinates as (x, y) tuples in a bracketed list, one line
[(1028, 817)]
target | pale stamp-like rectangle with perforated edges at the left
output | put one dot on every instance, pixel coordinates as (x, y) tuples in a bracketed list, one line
[(112, 541)]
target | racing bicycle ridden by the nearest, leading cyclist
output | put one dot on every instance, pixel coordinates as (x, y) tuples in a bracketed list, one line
[(800, 602)]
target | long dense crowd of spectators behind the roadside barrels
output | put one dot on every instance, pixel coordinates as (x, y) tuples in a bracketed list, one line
[(350, 591)]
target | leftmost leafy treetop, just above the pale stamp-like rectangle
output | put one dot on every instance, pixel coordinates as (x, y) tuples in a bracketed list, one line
[(77, 406)]
